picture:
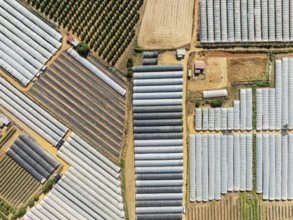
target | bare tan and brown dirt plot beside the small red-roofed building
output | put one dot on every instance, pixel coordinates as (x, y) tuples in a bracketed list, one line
[(223, 69)]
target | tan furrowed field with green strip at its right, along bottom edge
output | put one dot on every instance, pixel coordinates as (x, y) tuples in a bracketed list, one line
[(230, 207)]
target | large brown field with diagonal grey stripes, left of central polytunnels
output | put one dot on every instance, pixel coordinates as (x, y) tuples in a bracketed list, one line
[(83, 102)]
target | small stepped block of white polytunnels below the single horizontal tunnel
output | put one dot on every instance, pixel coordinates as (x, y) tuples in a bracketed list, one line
[(238, 117)]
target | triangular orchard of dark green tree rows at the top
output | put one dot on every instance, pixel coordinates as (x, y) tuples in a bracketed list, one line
[(107, 26)]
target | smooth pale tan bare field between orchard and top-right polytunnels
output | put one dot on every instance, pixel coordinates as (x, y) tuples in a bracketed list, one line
[(166, 24)]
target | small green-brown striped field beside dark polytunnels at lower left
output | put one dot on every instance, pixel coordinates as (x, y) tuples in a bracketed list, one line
[(16, 185)]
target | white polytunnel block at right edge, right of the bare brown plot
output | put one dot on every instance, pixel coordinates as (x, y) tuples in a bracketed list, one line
[(274, 106)]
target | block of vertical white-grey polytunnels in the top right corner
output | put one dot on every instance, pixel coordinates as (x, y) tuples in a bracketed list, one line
[(229, 21)]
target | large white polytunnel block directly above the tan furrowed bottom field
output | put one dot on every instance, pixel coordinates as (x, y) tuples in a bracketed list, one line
[(219, 164)]
